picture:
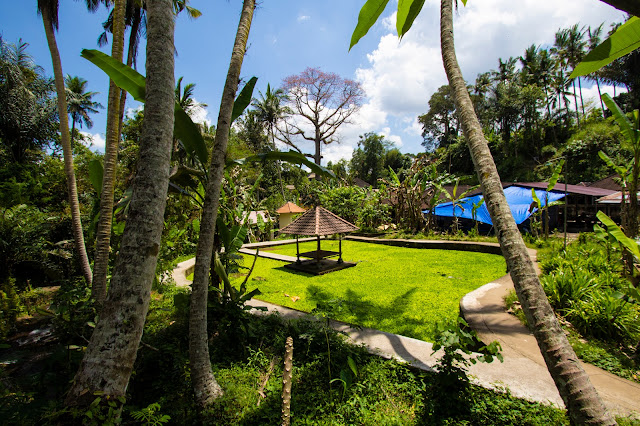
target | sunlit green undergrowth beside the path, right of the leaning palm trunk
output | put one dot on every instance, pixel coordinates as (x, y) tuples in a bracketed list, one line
[(584, 286)]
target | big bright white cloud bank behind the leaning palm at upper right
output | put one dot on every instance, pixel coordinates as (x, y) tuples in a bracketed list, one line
[(401, 76)]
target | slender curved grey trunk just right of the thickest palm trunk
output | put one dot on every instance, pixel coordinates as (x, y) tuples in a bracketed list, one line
[(205, 386)]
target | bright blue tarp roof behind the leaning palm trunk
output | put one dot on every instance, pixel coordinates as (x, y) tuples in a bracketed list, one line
[(519, 200)]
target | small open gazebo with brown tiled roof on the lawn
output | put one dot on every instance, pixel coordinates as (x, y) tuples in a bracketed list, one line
[(319, 222)]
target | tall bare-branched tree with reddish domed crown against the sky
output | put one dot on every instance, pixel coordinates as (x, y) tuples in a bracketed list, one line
[(323, 101)]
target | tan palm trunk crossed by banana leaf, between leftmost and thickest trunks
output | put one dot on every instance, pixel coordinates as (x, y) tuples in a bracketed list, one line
[(103, 232)]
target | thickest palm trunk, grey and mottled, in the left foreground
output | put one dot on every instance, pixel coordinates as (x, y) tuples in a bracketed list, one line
[(108, 360)]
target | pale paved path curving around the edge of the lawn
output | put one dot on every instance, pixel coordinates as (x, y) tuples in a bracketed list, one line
[(523, 371)]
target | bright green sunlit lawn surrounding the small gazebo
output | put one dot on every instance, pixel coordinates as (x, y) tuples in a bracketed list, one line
[(394, 289)]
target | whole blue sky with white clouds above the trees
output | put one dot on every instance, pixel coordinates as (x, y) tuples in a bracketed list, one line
[(287, 36)]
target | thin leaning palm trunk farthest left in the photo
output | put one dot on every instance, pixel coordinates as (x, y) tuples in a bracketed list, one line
[(67, 152)]
